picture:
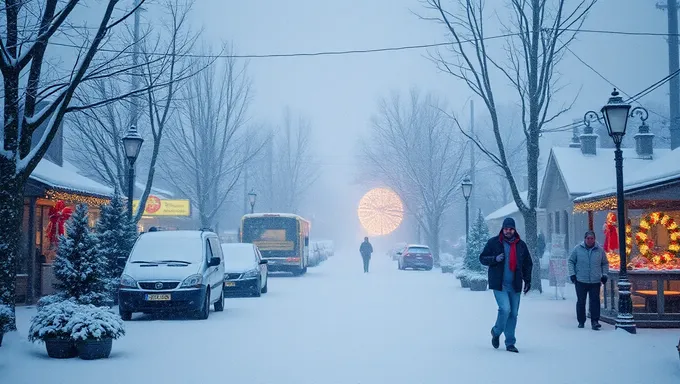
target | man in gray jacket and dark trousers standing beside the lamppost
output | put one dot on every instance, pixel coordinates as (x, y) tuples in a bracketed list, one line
[(588, 268)]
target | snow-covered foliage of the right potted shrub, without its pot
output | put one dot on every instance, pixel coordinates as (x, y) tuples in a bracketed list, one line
[(95, 323)]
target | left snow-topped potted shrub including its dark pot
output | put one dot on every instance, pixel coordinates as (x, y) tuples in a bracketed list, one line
[(49, 325)]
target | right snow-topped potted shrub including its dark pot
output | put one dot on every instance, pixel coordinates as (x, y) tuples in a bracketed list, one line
[(93, 330)]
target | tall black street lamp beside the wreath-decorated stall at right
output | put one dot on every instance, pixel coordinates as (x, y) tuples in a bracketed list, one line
[(616, 113)]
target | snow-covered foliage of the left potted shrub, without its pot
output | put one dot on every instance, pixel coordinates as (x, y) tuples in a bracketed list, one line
[(51, 321)]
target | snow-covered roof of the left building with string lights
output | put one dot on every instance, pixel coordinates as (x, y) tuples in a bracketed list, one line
[(68, 179)]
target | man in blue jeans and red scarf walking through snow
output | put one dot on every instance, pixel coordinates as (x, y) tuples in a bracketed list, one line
[(509, 262)]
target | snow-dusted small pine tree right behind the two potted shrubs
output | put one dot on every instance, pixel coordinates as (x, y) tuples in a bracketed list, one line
[(81, 273)]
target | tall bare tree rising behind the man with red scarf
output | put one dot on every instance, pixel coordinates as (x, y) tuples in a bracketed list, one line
[(537, 33)]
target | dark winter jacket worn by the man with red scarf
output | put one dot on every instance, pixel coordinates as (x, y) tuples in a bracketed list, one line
[(493, 248)]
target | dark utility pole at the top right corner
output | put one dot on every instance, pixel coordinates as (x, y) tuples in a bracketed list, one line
[(671, 8)]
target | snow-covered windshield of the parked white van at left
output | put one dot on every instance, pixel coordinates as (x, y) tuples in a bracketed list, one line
[(152, 248)]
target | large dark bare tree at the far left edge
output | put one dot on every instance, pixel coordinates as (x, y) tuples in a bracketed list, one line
[(30, 80)]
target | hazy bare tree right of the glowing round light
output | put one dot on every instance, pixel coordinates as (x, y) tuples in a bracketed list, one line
[(413, 149)]
